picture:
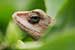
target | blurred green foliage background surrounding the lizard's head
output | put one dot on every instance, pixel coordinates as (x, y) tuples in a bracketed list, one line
[(59, 37)]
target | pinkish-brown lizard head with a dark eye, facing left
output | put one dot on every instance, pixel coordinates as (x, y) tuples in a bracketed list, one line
[(34, 22)]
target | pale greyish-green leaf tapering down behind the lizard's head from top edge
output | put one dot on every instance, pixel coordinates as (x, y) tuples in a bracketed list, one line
[(53, 6)]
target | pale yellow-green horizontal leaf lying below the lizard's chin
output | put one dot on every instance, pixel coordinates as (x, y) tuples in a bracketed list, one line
[(30, 45)]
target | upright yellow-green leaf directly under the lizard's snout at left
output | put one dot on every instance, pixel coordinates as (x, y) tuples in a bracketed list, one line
[(13, 34)]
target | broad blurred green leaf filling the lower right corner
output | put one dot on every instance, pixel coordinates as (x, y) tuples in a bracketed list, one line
[(60, 41)]
